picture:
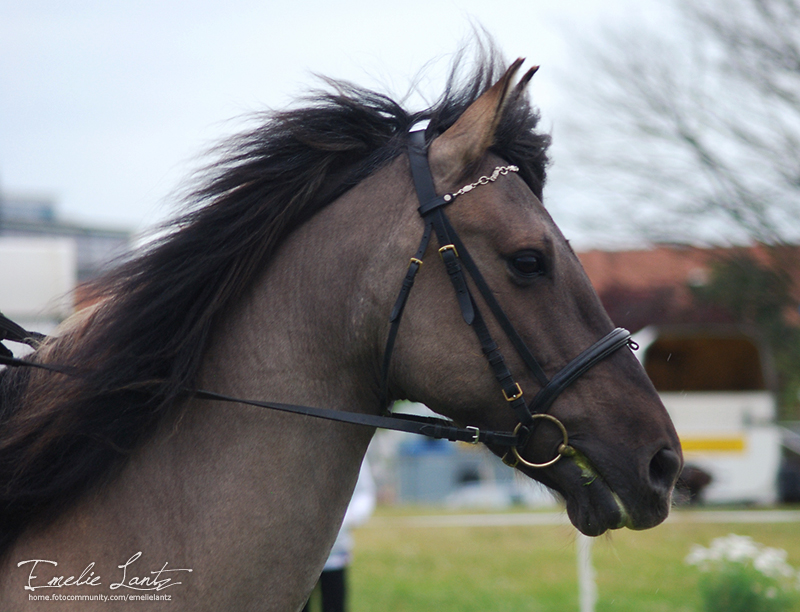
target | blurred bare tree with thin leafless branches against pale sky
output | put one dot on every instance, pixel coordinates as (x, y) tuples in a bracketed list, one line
[(692, 128)]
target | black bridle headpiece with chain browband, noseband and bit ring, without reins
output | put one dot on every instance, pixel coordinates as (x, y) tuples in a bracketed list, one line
[(456, 259)]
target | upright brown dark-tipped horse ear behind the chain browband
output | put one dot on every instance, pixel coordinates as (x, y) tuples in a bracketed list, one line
[(466, 141)]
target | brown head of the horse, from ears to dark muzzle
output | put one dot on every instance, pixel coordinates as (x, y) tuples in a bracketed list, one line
[(618, 450)]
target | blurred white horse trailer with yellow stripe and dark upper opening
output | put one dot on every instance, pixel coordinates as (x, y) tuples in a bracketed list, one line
[(716, 384)]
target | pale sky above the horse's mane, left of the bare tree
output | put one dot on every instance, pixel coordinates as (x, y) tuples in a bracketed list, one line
[(107, 107)]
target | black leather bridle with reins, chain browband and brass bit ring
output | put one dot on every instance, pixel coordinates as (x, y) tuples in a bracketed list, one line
[(456, 260)]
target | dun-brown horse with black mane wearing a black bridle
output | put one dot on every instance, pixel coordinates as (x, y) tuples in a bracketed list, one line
[(121, 482)]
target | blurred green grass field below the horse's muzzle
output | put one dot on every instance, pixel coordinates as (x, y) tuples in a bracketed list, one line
[(400, 566)]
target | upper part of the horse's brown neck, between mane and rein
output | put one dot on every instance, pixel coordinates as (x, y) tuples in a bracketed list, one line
[(312, 329)]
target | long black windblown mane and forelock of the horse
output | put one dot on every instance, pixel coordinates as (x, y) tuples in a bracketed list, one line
[(142, 346)]
